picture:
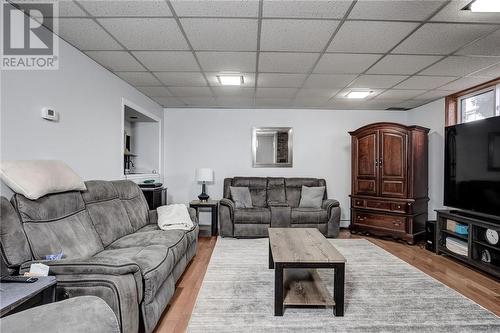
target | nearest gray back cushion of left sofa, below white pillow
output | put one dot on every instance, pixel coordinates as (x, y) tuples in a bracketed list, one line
[(58, 223)]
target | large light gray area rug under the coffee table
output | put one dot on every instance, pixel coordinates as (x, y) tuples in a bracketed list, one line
[(382, 294)]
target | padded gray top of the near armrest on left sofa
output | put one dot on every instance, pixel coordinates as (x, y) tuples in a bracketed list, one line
[(93, 265)]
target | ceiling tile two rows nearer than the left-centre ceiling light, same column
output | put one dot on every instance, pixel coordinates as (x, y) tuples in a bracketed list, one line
[(221, 34)]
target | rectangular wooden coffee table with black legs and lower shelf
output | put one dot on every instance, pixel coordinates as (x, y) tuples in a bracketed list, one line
[(298, 252)]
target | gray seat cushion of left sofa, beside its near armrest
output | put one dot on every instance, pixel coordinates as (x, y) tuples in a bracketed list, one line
[(155, 262)]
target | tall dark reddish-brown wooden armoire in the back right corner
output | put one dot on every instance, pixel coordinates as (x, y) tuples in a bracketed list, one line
[(390, 180)]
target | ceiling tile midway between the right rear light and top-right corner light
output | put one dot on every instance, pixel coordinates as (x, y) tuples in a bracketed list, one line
[(402, 64)]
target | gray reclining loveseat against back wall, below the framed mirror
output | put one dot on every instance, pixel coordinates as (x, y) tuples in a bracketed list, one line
[(276, 204)]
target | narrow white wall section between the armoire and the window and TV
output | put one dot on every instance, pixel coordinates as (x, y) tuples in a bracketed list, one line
[(432, 116)]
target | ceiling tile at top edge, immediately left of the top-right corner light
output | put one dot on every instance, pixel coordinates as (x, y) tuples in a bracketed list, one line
[(396, 10)]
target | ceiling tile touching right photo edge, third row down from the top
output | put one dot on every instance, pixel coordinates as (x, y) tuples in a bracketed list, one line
[(460, 65)]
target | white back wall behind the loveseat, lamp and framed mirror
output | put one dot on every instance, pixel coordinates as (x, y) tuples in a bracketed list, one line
[(221, 140)]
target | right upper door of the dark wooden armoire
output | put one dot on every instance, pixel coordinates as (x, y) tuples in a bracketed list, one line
[(393, 163)]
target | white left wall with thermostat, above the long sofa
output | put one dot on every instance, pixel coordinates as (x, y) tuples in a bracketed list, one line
[(89, 100)]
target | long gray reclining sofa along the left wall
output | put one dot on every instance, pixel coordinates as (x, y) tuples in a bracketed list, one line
[(111, 244)]
